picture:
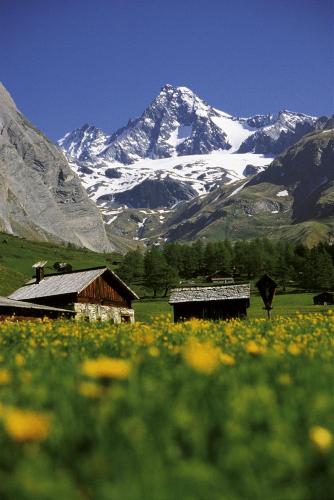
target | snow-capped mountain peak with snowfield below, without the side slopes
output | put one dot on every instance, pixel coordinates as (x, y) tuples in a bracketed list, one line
[(179, 147)]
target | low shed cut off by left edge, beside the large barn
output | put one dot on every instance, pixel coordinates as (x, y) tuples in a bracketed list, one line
[(19, 310)]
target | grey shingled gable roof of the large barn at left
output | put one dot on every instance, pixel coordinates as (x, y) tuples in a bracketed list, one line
[(66, 283)]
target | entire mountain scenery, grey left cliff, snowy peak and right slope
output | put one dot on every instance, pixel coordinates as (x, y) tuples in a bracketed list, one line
[(183, 170)]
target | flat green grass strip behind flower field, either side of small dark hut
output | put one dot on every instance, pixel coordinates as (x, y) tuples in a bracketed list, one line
[(283, 305)]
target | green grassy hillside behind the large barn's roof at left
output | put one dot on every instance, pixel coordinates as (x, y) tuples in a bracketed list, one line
[(18, 255)]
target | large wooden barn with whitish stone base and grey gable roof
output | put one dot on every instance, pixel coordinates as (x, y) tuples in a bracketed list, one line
[(93, 294)]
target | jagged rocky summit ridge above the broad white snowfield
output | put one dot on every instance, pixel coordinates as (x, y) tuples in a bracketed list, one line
[(179, 123)]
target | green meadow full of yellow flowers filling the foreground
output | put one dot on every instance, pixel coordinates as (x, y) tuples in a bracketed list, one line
[(230, 410)]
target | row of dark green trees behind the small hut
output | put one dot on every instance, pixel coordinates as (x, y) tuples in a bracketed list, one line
[(160, 268)]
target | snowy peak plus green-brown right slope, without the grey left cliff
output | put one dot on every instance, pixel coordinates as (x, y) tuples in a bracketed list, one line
[(185, 170)]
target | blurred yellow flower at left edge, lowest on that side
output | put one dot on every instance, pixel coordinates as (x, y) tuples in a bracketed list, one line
[(24, 425)]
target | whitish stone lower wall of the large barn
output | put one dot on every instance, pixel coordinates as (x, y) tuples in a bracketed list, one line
[(97, 312)]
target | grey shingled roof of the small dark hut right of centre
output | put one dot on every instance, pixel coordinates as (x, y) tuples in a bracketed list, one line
[(209, 293)]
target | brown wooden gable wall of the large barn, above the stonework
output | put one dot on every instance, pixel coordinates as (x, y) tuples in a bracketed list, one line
[(104, 293)]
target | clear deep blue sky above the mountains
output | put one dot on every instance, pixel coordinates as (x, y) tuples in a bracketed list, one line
[(67, 62)]
